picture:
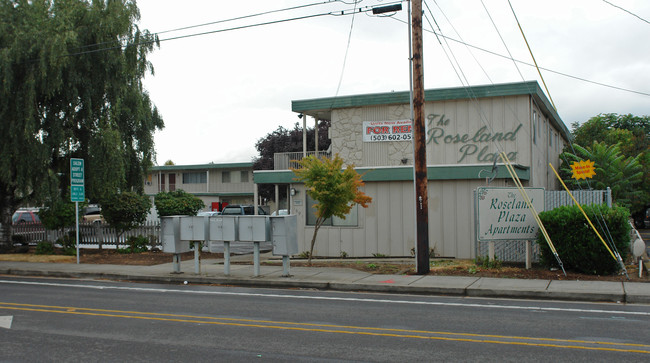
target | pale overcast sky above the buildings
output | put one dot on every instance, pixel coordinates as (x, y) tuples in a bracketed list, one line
[(221, 92)]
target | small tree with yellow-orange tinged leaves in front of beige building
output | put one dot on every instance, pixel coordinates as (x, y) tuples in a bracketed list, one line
[(334, 189)]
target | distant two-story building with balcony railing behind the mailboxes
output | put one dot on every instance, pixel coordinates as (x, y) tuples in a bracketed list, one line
[(216, 184)]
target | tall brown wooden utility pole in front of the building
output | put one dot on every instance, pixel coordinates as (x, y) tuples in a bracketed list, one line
[(419, 145)]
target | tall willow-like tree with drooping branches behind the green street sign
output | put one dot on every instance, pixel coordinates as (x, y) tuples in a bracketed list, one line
[(71, 86)]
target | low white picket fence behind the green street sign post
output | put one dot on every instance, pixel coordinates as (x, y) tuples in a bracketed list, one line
[(96, 234)]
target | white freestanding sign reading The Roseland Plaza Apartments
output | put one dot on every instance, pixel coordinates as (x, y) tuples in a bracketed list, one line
[(504, 215)]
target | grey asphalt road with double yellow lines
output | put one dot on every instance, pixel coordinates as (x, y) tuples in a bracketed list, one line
[(72, 320)]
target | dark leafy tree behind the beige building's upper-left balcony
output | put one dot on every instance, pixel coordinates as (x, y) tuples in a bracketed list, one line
[(284, 140)]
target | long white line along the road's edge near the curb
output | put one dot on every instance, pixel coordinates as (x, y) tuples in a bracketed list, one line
[(387, 301)]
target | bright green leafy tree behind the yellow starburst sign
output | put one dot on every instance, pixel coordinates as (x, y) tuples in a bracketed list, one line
[(622, 174)]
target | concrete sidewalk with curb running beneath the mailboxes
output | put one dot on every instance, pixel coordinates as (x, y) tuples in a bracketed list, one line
[(341, 279)]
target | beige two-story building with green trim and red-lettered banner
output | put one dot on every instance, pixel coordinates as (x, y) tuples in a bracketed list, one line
[(467, 128)]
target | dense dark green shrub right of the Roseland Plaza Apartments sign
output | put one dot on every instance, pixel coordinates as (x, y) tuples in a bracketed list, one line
[(577, 244)]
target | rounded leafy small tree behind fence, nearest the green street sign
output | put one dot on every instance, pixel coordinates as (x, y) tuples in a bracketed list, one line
[(125, 211)]
